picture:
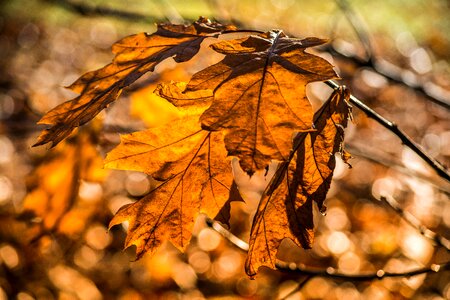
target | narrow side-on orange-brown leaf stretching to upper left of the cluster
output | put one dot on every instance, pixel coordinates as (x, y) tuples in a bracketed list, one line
[(135, 56)]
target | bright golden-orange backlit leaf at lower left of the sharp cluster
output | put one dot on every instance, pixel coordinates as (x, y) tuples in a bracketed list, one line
[(195, 178)]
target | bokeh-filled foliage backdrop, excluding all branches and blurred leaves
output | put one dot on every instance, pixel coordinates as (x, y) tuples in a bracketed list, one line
[(44, 47)]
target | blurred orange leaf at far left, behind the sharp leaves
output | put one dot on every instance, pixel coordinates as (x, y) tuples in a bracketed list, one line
[(55, 186)]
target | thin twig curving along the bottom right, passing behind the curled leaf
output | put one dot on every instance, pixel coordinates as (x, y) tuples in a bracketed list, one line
[(292, 267)]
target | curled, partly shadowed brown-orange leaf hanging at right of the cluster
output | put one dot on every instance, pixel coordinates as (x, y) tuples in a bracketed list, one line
[(285, 210)]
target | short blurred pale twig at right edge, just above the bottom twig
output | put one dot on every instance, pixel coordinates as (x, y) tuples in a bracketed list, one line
[(411, 220)]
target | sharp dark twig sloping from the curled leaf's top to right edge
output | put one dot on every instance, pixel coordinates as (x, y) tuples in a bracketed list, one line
[(406, 140)]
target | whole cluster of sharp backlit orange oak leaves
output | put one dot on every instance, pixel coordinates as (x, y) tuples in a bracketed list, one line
[(251, 105)]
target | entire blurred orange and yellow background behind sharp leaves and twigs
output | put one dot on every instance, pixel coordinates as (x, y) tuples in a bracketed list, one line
[(55, 205)]
